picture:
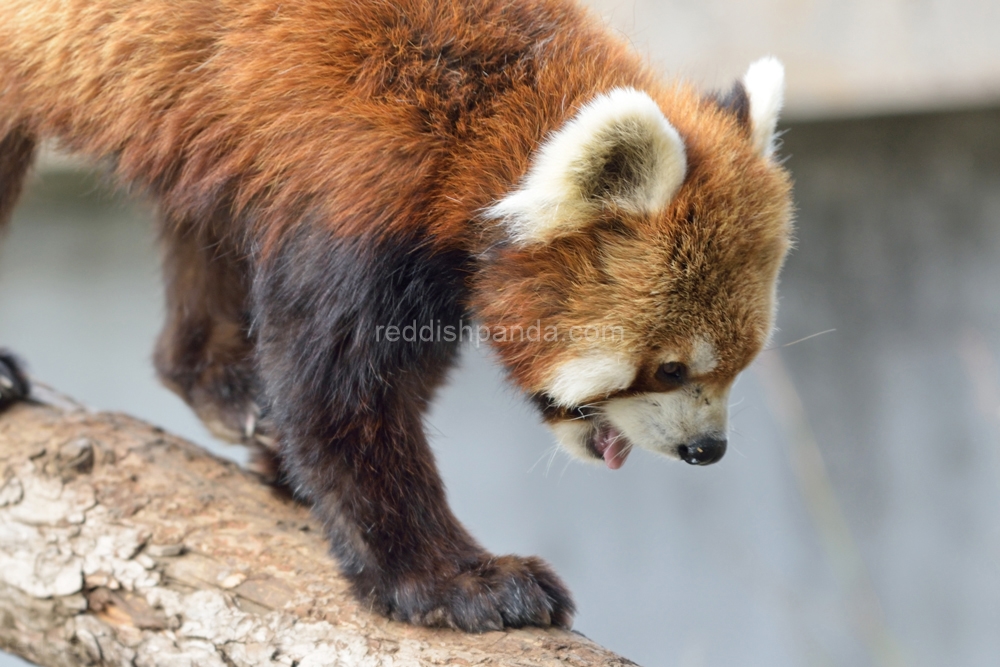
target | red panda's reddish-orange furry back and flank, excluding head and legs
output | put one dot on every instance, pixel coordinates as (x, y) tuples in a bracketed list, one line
[(354, 108)]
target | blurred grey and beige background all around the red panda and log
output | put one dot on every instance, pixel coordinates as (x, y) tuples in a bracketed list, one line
[(856, 519)]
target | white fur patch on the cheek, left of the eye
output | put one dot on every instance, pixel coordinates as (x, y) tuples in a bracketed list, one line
[(590, 376)]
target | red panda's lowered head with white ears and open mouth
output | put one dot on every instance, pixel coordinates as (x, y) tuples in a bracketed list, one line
[(638, 277)]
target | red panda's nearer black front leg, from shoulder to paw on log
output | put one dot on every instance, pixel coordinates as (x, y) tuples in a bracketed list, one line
[(348, 398)]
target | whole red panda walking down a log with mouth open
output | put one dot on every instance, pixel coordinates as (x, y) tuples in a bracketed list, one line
[(329, 172)]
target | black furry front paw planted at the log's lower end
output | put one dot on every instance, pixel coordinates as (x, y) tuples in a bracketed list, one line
[(499, 592)]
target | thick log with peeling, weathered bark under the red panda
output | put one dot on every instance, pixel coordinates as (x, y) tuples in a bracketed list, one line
[(123, 545)]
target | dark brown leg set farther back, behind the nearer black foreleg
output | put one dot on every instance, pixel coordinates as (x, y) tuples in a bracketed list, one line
[(205, 353)]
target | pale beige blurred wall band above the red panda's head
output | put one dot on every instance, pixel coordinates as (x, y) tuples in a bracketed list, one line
[(844, 57)]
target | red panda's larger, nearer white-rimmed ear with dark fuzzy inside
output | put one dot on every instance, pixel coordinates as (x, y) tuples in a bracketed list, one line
[(619, 150)]
